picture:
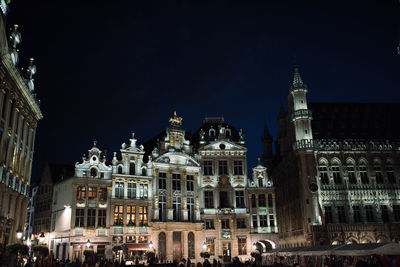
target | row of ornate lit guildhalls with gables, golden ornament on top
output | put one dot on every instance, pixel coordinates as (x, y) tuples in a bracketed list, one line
[(177, 194)]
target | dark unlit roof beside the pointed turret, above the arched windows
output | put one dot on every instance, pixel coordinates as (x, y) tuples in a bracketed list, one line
[(355, 120)]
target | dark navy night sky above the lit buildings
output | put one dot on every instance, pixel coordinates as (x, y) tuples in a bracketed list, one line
[(107, 68)]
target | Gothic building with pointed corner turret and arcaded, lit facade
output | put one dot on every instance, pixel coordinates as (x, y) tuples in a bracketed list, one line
[(337, 175)]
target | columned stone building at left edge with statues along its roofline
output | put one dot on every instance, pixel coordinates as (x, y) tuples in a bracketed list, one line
[(19, 116)]
